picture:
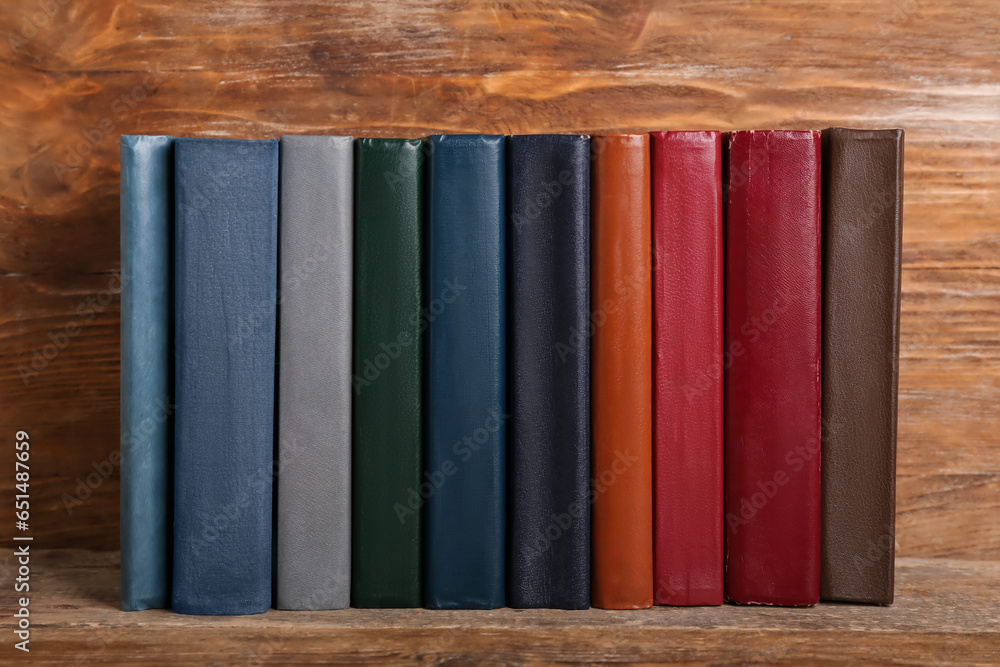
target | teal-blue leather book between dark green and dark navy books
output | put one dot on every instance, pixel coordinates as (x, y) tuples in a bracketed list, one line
[(466, 411)]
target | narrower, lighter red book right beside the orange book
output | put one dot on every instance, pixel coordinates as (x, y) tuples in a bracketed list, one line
[(687, 333)]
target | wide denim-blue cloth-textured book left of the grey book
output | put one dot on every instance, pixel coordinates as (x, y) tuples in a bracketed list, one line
[(225, 285)]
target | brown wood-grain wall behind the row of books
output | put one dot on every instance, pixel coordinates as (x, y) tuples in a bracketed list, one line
[(74, 75)]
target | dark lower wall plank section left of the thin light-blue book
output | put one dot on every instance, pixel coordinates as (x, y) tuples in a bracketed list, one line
[(59, 381)]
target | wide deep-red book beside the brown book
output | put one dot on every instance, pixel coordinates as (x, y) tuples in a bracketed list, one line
[(772, 368)]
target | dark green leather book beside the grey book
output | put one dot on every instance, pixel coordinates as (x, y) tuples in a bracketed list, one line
[(388, 371)]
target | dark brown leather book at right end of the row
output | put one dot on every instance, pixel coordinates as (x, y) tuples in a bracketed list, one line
[(862, 229)]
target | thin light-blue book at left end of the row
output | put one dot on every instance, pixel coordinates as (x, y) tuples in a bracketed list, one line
[(147, 204)]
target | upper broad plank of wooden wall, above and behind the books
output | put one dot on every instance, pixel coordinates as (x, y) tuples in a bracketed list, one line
[(97, 69)]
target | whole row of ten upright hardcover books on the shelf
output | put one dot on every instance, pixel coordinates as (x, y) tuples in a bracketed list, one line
[(538, 371)]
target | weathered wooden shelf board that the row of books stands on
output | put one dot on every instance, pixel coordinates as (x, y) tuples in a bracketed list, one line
[(945, 611)]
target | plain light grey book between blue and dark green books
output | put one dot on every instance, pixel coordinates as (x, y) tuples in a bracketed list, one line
[(314, 373)]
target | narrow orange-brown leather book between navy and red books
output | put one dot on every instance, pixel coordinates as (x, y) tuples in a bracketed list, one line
[(622, 372)]
